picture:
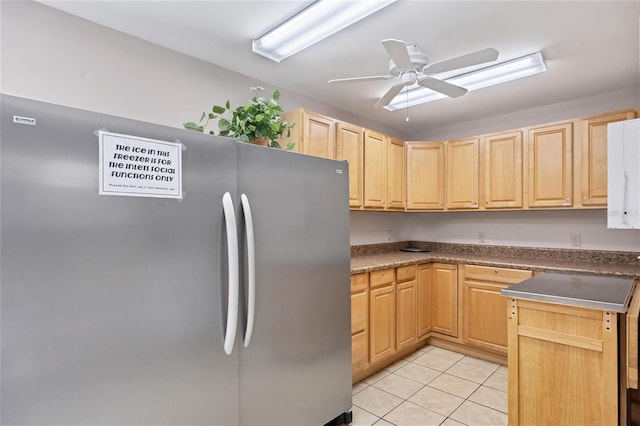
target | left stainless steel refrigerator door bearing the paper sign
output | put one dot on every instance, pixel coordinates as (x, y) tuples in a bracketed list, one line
[(112, 309)]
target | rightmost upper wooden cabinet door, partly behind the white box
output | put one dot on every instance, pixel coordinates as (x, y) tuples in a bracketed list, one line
[(594, 157)]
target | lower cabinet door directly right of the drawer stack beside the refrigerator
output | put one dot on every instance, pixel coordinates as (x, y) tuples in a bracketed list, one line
[(382, 324)]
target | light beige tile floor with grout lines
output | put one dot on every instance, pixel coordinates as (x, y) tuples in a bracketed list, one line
[(433, 386)]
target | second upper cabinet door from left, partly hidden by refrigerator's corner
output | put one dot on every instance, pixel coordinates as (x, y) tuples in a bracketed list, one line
[(349, 147)]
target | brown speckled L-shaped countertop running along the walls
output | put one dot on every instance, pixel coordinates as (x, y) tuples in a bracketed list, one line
[(381, 256)]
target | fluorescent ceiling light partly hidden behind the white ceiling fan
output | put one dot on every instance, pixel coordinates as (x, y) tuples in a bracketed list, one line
[(478, 79)]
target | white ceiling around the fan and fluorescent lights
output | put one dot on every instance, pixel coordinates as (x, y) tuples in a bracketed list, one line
[(590, 47)]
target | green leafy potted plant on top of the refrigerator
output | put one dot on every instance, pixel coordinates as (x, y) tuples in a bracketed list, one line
[(258, 121)]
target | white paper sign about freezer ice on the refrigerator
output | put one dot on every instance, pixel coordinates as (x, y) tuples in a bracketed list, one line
[(139, 167)]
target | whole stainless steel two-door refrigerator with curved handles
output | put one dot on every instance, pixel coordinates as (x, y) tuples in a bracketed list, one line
[(115, 309)]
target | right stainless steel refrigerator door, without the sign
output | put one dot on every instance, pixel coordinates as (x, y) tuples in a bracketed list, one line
[(297, 367)]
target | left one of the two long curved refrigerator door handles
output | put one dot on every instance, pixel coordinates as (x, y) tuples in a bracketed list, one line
[(234, 273)]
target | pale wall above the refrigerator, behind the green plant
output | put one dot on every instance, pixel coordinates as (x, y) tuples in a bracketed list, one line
[(55, 57)]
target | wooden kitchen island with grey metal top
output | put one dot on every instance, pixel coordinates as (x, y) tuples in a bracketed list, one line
[(566, 353)]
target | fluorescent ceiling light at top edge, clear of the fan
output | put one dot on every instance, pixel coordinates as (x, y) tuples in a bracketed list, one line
[(315, 23)]
